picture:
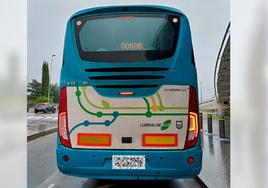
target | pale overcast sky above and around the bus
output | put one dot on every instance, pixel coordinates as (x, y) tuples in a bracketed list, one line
[(47, 20)]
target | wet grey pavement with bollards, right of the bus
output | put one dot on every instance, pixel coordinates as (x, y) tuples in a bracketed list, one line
[(216, 157)]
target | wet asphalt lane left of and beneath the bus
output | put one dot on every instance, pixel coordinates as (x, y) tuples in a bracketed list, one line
[(43, 172)]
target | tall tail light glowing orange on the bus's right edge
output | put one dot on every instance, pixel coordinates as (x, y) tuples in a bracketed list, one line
[(193, 129)]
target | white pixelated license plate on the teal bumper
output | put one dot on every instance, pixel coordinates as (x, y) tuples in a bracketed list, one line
[(128, 162)]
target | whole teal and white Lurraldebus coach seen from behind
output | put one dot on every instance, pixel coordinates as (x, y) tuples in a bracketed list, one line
[(128, 95)]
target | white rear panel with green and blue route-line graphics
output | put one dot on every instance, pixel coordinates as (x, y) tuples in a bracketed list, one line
[(159, 121)]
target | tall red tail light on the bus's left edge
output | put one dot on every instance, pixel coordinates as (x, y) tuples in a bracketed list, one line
[(63, 120)]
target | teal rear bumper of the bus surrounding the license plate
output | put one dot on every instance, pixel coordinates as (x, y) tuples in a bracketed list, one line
[(97, 164)]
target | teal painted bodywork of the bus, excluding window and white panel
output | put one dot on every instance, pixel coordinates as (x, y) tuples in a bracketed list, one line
[(179, 70)]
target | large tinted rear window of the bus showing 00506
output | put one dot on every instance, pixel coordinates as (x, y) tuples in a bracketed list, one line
[(126, 38)]
